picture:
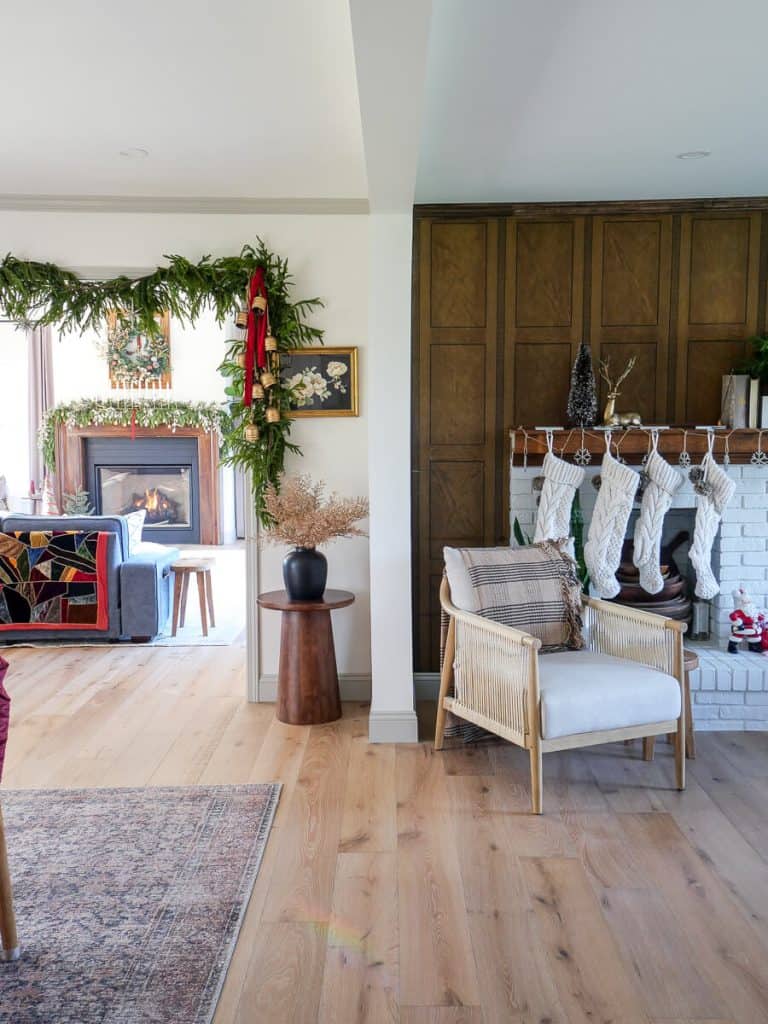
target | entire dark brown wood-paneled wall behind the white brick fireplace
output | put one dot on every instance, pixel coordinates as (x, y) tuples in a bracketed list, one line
[(503, 295)]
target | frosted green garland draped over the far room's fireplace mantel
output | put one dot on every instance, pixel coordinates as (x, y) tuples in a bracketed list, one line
[(121, 413)]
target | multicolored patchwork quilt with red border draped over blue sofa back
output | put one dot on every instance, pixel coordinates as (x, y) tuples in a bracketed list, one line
[(55, 580)]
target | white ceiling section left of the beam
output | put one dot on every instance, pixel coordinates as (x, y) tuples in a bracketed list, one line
[(232, 99)]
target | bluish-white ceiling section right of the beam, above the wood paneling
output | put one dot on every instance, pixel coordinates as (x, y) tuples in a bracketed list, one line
[(591, 100)]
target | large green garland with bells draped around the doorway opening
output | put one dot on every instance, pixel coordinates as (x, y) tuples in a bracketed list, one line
[(40, 294)]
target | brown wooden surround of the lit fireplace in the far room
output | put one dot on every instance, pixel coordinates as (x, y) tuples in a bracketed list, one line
[(71, 465)]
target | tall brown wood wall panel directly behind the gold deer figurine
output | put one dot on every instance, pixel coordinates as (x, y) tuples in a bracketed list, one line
[(630, 308)]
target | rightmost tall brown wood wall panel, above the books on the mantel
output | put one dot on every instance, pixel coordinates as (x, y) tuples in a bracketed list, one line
[(717, 308)]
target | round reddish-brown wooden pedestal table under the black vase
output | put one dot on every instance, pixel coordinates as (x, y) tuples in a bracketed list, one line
[(308, 681)]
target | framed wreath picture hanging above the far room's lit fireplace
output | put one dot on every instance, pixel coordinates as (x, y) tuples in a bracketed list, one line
[(135, 360)]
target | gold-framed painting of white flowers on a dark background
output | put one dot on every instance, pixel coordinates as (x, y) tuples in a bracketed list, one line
[(322, 381)]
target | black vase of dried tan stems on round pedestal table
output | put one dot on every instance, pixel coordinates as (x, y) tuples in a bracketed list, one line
[(303, 517)]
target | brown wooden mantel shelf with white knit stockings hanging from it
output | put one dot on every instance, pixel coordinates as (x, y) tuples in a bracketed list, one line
[(634, 444)]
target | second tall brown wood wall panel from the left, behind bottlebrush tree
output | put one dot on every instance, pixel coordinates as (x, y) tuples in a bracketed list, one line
[(544, 316)]
